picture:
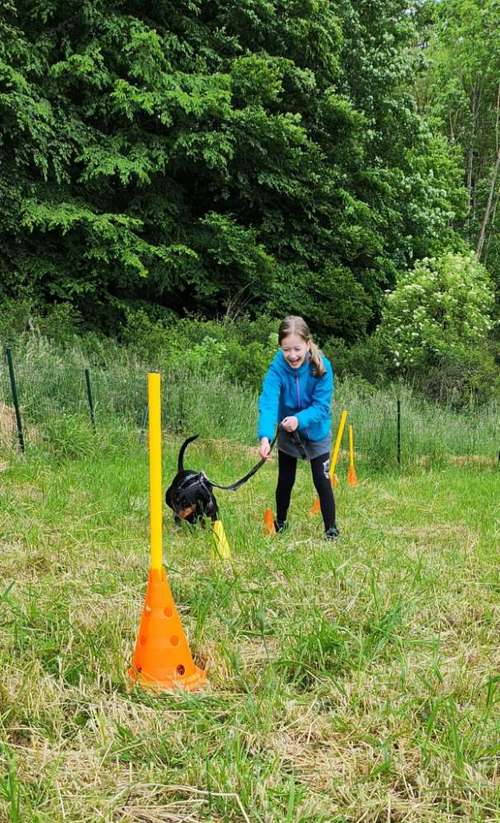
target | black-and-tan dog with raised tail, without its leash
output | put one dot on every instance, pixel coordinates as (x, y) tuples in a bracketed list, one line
[(190, 494)]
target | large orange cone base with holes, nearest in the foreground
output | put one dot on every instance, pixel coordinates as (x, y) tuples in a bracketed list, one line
[(162, 657)]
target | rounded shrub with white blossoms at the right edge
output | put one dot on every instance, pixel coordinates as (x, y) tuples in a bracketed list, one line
[(442, 305)]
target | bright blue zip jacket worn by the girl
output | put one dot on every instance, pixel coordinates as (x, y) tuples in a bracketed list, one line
[(288, 392)]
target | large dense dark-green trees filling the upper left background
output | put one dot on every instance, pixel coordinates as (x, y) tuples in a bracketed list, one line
[(205, 155)]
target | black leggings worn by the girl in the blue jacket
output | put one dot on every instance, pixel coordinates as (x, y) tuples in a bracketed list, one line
[(286, 478)]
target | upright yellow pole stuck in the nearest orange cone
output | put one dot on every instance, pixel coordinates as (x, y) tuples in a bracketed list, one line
[(155, 491)]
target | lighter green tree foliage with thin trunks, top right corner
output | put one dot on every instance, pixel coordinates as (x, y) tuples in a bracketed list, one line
[(459, 88)]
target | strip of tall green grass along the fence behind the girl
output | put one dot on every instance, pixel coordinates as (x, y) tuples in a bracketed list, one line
[(52, 394)]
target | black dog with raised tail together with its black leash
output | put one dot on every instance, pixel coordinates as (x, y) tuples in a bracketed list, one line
[(191, 496)]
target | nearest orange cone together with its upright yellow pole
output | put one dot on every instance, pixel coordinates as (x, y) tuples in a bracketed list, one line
[(162, 658)]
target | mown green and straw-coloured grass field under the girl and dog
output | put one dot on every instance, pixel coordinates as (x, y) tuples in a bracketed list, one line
[(349, 682)]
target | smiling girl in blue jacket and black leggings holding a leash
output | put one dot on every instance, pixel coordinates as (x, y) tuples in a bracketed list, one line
[(297, 393)]
